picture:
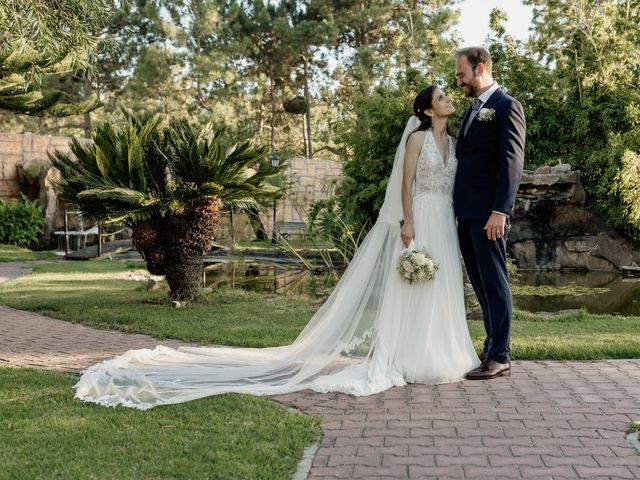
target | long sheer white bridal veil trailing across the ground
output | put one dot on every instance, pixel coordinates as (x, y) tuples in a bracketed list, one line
[(347, 346)]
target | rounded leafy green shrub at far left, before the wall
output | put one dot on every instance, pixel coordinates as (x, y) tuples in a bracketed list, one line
[(21, 222)]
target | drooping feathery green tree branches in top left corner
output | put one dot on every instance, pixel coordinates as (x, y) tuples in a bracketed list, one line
[(41, 42)]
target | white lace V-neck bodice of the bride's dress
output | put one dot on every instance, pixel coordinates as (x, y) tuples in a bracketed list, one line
[(433, 177)]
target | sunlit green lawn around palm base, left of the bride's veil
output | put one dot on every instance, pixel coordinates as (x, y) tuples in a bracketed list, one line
[(99, 294)]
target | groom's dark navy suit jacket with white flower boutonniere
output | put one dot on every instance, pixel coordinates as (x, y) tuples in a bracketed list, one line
[(490, 160)]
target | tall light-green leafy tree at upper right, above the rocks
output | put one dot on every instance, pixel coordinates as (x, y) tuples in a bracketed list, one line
[(591, 48)]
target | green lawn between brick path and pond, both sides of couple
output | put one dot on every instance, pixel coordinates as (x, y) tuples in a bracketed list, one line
[(99, 294)]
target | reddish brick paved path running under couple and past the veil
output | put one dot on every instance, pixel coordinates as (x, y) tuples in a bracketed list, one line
[(548, 420)]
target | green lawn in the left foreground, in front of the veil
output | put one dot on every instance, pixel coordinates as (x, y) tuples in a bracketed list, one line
[(46, 434)]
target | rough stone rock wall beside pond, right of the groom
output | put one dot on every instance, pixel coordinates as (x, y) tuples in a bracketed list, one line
[(552, 229)]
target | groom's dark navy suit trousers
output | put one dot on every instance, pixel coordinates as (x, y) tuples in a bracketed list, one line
[(486, 264)]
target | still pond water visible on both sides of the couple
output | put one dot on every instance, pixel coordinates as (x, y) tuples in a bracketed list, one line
[(597, 292)]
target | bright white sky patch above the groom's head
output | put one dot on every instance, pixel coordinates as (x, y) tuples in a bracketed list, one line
[(474, 19)]
